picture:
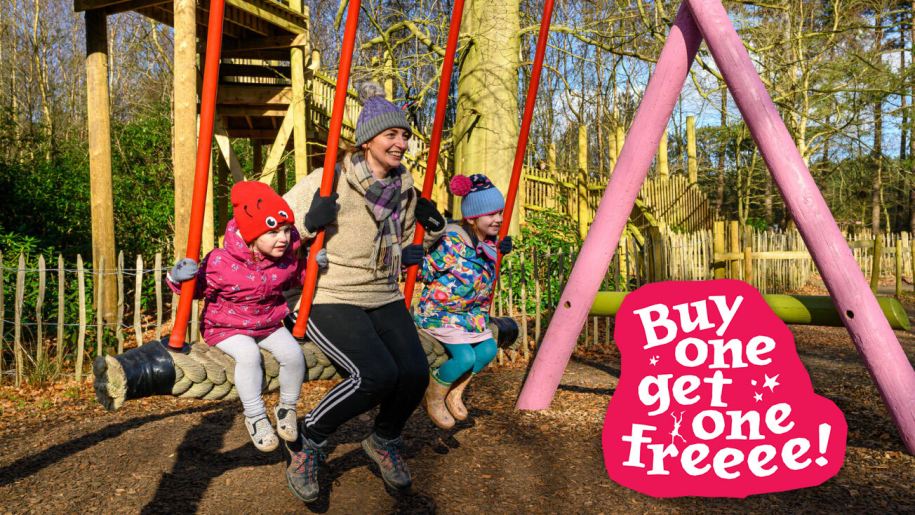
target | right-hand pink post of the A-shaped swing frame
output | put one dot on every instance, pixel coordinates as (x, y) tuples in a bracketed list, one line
[(876, 342)]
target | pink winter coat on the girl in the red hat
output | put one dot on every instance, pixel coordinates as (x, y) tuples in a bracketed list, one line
[(244, 292)]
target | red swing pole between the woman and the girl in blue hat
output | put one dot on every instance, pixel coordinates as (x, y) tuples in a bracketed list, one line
[(435, 141)]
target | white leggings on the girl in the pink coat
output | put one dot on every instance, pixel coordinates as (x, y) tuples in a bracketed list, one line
[(249, 372)]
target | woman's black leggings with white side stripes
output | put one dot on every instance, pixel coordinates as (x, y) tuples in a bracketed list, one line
[(379, 354)]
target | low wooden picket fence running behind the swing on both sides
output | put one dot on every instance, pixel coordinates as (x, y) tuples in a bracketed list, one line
[(68, 327)]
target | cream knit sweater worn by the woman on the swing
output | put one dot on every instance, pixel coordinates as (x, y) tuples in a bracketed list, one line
[(349, 278)]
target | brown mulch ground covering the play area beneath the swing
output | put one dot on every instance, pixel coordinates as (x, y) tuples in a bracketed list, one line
[(60, 452)]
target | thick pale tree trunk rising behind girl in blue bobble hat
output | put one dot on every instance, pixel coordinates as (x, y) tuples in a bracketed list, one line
[(486, 124)]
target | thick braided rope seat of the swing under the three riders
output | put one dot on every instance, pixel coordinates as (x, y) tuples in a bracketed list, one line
[(208, 373)]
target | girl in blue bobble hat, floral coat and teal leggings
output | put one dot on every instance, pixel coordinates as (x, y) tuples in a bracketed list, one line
[(459, 273)]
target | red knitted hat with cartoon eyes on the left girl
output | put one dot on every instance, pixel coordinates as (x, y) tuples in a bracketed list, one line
[(258, 209)]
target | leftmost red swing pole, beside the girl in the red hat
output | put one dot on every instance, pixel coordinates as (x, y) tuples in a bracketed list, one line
[(201, 171)]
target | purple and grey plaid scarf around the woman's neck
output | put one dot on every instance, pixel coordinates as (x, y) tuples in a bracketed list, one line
[(384, 200)]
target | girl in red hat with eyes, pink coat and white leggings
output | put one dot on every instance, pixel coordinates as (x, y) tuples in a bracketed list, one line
[(243, 285)]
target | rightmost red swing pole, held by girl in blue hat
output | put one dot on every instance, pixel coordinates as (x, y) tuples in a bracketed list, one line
[(525, 124)]
